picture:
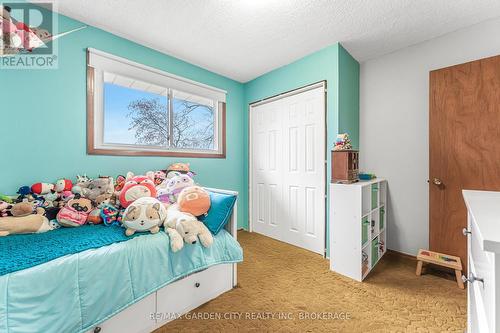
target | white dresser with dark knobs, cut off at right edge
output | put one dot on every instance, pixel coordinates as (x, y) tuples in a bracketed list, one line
[(483, 249)]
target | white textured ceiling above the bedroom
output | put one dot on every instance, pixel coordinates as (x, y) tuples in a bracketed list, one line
[(243, 39)]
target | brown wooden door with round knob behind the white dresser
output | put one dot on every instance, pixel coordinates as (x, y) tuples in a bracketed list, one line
[(464, 146)]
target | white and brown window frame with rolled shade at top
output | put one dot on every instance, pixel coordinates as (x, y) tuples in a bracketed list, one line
[(99, 62)]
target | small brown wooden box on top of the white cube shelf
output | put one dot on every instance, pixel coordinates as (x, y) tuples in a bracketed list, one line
[(345, 166)]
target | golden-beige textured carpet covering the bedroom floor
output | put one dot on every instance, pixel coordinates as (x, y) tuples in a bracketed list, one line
[(280, 279)]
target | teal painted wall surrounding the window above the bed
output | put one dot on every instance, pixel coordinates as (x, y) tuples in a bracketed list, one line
[(43, 116)]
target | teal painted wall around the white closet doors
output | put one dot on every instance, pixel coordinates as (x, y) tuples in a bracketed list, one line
[(332, 64)]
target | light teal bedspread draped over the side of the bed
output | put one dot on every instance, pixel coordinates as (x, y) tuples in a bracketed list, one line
[(75, 292)]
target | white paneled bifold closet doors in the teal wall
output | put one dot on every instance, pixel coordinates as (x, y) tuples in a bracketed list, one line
[(288, 169)]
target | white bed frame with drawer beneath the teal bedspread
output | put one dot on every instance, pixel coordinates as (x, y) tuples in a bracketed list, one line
[(176, 298)]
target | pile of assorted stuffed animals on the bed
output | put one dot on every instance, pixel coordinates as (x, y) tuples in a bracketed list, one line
[(138, 203)]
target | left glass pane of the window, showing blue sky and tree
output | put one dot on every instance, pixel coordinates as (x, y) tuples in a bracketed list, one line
[(135, 112)]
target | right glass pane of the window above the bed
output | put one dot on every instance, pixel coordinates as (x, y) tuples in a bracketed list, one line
[(193, 122)]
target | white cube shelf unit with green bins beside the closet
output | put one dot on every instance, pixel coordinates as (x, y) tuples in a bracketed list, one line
[(358, 227)]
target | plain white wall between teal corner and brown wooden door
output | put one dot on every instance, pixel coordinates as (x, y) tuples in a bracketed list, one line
[(394, 126)]
